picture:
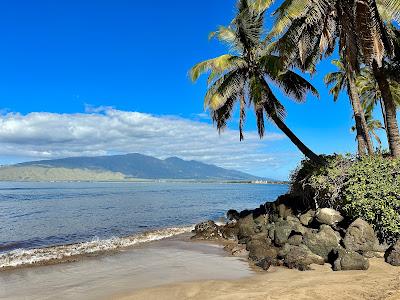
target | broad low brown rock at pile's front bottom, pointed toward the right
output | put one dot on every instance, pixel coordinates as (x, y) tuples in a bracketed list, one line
[(300, 257)]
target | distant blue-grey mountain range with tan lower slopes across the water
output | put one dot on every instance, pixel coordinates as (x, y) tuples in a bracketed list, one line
[(130, 166)]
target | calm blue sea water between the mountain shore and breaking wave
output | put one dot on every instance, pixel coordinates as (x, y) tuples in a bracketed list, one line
[(36, 215)]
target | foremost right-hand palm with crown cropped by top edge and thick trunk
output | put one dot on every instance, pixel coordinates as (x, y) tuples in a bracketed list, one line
[(309, 29)]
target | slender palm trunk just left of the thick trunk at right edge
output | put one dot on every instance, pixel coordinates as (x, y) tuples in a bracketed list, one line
[(363, 136)]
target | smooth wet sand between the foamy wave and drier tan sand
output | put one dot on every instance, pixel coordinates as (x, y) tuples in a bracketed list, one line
[(168, 261)]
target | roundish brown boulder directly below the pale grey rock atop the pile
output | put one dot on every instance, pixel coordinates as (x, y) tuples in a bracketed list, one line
[(323, 241)]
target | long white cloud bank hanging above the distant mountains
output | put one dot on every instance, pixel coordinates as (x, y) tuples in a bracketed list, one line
[(42, 135)]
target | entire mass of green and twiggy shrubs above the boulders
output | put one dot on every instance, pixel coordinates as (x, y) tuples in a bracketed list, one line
[(367, 188)]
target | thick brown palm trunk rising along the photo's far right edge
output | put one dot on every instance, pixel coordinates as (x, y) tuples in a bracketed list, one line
[(392, 128)]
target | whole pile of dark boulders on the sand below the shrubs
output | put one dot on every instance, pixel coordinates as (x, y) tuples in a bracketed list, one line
[(280, 233)]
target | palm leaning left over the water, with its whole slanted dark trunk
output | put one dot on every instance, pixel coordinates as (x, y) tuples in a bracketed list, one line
[(244, 74)]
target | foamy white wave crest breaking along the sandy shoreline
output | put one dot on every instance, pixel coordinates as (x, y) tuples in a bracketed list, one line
[(56, 254)]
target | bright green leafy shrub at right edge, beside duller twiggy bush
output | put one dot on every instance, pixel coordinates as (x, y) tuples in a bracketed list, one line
[(372, 191)]
